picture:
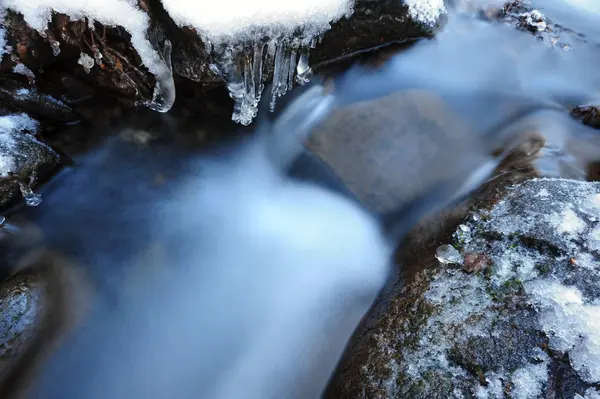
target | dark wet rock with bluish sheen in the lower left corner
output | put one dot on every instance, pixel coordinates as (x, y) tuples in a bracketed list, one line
[(36, 310)]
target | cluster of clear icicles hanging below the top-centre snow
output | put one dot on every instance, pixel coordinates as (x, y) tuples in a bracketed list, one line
[(241, 68)]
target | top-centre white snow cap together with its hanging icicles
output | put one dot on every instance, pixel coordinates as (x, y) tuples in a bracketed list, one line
[(243, 36)]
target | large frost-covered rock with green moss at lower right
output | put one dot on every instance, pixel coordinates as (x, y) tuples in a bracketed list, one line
[(526, 327)]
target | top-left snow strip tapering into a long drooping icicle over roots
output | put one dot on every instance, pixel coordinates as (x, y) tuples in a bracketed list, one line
[(37, 13)]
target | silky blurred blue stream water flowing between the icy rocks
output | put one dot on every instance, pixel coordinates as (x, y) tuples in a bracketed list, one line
[(216, 273)]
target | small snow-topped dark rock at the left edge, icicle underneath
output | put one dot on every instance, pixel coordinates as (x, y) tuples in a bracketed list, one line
[(22, 158)]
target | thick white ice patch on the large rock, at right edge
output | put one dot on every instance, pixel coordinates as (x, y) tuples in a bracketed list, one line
[(571, 324)]
